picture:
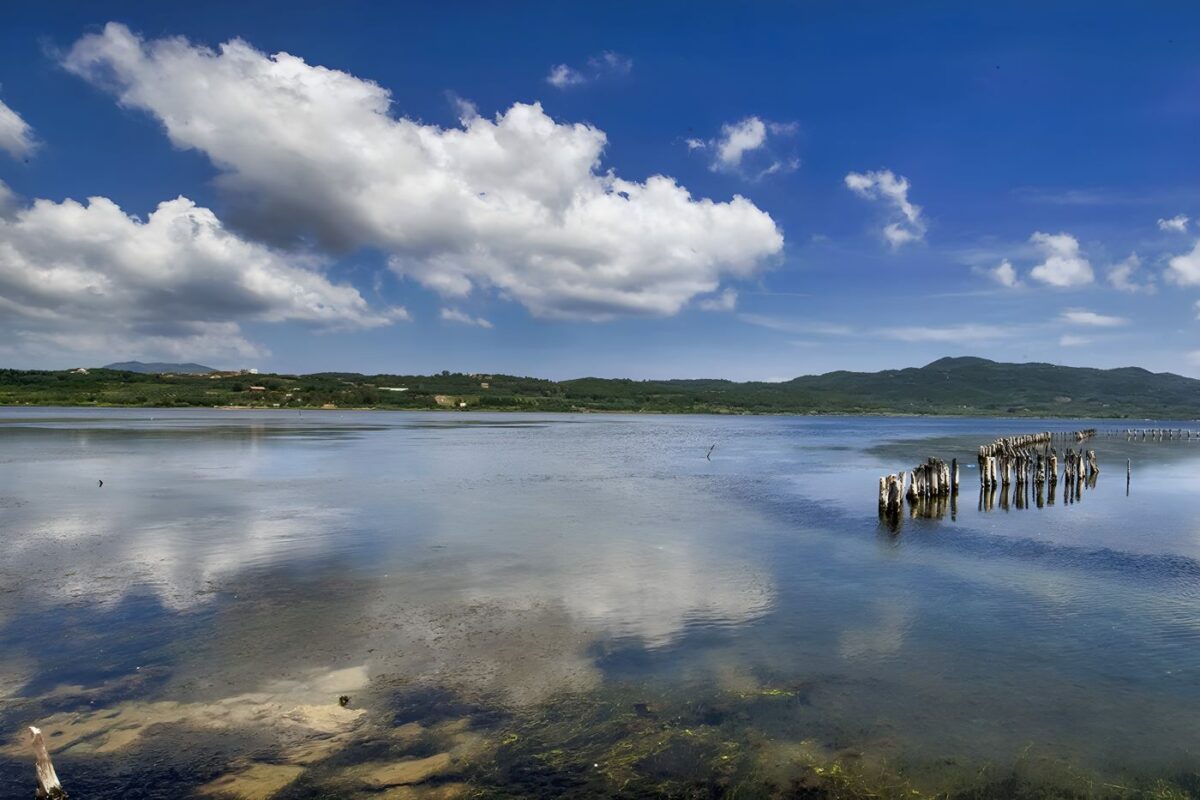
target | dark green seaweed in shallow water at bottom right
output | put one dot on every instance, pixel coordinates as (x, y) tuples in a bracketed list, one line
[(617, 745)]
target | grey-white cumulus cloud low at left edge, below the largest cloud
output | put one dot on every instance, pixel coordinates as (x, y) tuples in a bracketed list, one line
[(92, 279)]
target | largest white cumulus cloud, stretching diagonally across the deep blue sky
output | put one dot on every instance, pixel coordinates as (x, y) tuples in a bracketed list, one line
[(518, 203)]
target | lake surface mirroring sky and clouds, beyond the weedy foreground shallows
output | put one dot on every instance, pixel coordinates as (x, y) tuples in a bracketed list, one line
[(524, 556)]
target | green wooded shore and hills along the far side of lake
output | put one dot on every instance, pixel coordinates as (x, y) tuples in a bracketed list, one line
[(949, 387)]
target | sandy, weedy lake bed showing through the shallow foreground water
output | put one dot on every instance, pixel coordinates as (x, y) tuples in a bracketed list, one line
[(422, 744)]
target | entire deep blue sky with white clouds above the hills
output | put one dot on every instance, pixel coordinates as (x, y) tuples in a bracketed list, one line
[(553, 188)]
